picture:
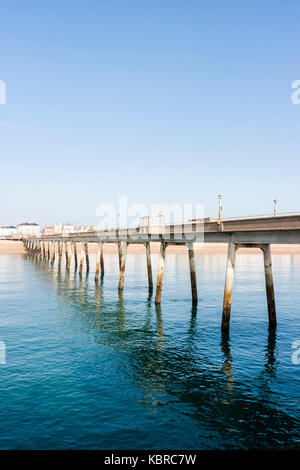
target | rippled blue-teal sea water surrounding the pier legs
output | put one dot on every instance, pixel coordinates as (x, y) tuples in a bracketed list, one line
[(89, 369)]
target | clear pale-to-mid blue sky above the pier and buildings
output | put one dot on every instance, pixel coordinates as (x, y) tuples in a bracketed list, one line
[(164, 101)]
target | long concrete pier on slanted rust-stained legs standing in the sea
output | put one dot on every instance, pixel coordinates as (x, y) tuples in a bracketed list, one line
[(257, 232)]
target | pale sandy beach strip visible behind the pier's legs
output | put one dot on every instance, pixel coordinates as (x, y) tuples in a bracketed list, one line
[(17, 247)]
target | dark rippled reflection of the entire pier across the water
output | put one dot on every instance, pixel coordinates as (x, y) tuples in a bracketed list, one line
[(181, 365)]
